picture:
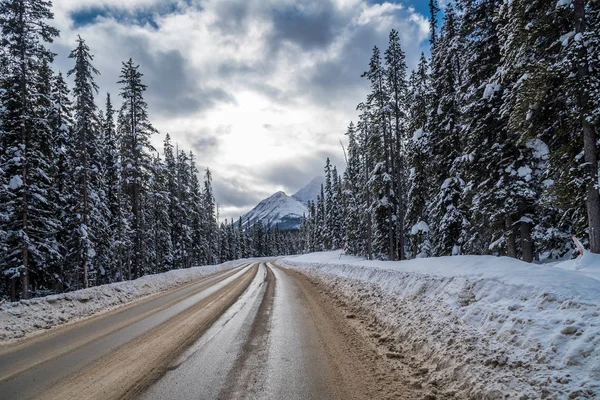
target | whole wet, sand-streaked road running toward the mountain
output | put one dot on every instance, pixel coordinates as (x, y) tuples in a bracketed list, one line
[(255, 332)]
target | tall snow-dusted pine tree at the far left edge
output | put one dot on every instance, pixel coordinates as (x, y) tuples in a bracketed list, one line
[(29, 226)]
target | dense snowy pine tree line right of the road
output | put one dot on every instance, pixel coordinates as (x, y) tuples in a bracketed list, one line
[(488, 147)]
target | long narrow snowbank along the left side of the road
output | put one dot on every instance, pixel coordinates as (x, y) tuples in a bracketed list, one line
[(27, 317)]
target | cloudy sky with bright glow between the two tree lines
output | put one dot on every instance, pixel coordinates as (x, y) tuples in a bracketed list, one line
[(261, 90)]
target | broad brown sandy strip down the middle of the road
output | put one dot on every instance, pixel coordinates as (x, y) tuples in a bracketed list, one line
[(136, 365)]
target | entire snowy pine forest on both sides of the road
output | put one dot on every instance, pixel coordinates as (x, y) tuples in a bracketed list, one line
[(489, 146)]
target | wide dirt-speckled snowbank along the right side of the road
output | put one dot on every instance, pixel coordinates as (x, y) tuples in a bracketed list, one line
[(482, 326)]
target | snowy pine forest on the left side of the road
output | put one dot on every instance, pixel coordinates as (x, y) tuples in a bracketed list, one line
[(85, 198)]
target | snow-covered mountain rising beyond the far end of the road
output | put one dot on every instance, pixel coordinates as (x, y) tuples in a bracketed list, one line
[(283, 210)]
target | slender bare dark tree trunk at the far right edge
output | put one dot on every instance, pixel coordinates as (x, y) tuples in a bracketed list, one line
[(590, 137)]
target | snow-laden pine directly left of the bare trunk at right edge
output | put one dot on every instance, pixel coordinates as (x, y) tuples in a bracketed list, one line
[(533, 39)]
